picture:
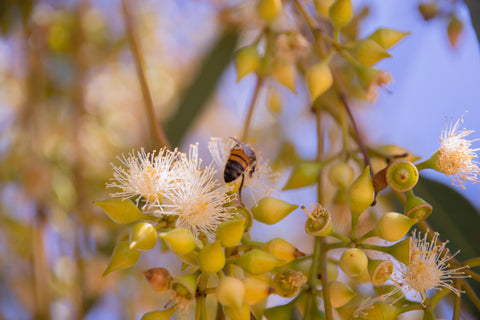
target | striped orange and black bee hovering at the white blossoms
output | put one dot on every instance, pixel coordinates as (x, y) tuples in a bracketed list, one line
[(241, 160)]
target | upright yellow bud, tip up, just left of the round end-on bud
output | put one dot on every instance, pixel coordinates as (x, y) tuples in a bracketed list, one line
[(361, 193)]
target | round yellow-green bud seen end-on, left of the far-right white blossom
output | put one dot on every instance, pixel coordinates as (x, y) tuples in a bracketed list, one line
[(401, 175)]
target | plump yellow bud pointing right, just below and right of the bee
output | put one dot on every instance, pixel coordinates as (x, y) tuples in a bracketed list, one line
[(271, 210)]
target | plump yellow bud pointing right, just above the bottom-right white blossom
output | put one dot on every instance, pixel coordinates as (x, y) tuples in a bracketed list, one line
[(393, 226)]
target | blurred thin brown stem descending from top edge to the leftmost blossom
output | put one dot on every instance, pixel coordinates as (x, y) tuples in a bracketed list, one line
[(138, 59)]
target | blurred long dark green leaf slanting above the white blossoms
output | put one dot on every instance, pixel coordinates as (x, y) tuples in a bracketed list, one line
[(202, 86)]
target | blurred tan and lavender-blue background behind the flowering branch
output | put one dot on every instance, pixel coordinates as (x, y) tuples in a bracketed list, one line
[(70, 102)]
